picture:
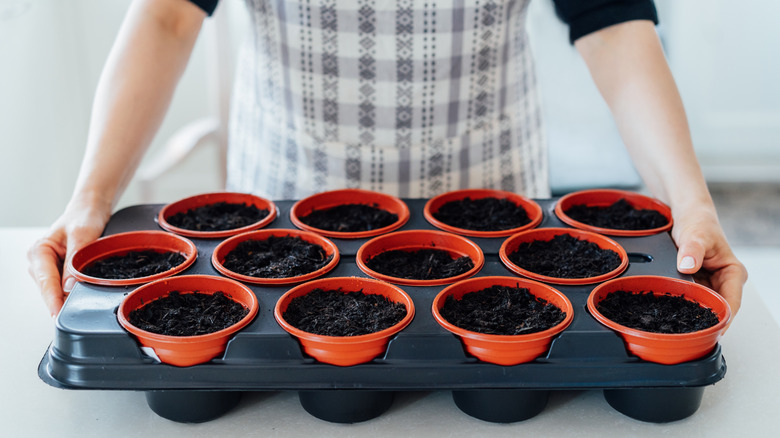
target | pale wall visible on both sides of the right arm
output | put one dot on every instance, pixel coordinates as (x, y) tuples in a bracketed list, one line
[(725, 56)]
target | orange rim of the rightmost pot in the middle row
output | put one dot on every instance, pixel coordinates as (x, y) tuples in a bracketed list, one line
[(511, 244)]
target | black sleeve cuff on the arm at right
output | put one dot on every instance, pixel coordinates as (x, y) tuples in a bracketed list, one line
[(614, 13)]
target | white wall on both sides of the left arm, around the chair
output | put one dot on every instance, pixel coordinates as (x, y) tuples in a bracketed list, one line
[(51, 55)]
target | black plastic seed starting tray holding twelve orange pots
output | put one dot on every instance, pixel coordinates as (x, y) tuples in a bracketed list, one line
[(92, 351)]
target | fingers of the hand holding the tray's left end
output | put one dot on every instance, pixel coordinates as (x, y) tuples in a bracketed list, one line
[(46, 257)]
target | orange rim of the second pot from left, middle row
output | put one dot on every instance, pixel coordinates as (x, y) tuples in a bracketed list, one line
[(224, 248)]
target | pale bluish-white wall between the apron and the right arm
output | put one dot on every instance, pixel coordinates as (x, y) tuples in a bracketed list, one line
[(584, 146)]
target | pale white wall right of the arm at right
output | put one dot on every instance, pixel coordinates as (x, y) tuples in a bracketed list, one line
[(726, 60)]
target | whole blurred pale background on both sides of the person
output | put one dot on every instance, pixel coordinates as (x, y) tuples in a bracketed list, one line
[(724, 54)]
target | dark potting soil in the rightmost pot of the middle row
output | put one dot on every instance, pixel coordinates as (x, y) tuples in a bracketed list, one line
[(565, 256)]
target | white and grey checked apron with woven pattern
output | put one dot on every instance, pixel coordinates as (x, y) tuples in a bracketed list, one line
[(408, 97)]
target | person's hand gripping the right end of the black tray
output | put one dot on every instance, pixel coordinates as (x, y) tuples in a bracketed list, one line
[(705, 253)]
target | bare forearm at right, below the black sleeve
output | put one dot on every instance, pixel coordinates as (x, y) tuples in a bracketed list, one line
[(629, 68)]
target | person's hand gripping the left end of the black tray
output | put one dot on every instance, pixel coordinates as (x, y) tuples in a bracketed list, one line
[(81, 223)]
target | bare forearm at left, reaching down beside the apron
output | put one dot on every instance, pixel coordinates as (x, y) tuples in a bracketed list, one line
[(133, 94)]
